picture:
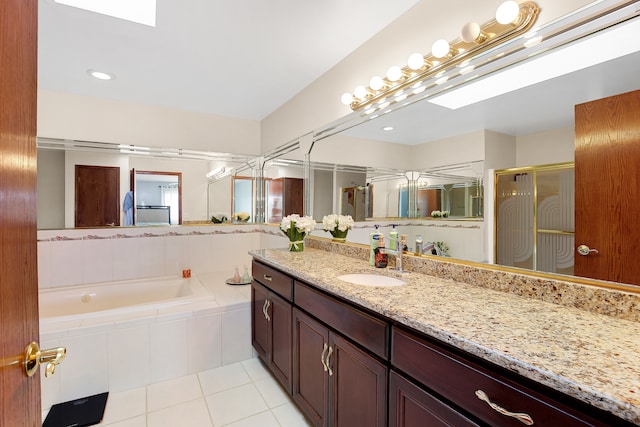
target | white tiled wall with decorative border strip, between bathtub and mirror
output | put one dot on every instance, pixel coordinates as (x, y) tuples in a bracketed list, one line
[(82, 256)]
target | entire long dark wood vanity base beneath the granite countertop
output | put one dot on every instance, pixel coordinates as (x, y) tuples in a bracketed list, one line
[(347, 366)]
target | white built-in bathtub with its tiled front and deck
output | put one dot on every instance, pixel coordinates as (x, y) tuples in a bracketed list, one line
[(124, 335)]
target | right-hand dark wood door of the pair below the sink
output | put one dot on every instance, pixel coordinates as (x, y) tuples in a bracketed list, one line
[(358, 386)]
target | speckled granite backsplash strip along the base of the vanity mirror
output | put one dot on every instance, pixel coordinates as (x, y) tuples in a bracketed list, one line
[(615, 303)]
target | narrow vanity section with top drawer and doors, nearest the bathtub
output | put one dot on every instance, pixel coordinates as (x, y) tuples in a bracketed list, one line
[(271, 323)]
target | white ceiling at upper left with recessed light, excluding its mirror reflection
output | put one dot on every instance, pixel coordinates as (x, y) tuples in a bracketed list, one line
[(199, 47)]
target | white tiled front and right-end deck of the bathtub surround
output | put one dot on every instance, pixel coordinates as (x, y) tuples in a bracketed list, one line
[(125, 352)]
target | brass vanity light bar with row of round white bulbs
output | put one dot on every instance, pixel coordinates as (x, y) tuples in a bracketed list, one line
[(512, 19)]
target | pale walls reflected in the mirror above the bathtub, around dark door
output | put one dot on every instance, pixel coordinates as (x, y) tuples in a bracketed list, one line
[(56, 176)]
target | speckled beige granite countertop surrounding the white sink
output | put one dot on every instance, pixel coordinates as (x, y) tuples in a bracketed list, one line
[(591, 357)]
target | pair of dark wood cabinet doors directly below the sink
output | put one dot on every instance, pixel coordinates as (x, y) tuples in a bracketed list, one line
[(336, 383)]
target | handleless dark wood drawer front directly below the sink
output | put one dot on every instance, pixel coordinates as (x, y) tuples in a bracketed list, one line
[(368, 331)]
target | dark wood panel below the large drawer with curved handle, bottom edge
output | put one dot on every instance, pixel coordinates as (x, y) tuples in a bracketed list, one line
[(410, 406)]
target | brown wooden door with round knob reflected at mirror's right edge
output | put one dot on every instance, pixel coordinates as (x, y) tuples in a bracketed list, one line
[(607, 166)]
